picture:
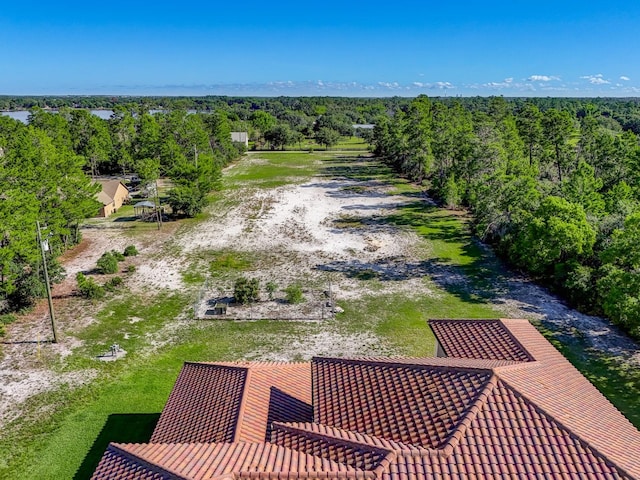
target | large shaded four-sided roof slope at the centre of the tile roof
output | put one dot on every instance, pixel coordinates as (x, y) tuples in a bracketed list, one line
[(412, 404)]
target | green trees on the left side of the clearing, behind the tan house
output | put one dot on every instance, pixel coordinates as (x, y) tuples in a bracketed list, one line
[(47, 167)]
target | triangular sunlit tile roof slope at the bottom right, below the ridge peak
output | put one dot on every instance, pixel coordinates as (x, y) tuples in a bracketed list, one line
[(512, 433)]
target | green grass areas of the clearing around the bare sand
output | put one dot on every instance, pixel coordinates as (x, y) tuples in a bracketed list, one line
[(124, 401)]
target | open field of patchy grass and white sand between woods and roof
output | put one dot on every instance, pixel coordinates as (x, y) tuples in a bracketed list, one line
[(391, 257)]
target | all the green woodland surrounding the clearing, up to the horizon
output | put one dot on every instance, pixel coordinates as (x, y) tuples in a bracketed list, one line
[(552, 183)]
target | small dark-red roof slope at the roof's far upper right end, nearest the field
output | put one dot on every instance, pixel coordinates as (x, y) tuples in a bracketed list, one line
[(480, 339)]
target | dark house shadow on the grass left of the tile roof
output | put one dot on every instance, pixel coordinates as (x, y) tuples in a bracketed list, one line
[(120, 428)]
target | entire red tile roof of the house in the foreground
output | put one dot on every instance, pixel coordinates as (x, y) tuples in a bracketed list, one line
[(525, 414)]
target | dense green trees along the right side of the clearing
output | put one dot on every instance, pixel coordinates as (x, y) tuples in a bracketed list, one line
[(556, 191)]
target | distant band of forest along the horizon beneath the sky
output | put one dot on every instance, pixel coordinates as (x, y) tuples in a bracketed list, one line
[(298, 111)]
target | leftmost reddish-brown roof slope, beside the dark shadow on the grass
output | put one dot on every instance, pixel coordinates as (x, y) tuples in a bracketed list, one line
[(204, 405)]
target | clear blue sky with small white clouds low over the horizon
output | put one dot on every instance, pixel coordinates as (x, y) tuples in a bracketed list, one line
[(516, 48)]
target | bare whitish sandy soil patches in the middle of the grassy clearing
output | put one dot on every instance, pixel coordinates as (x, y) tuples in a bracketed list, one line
[(325, 231)]
